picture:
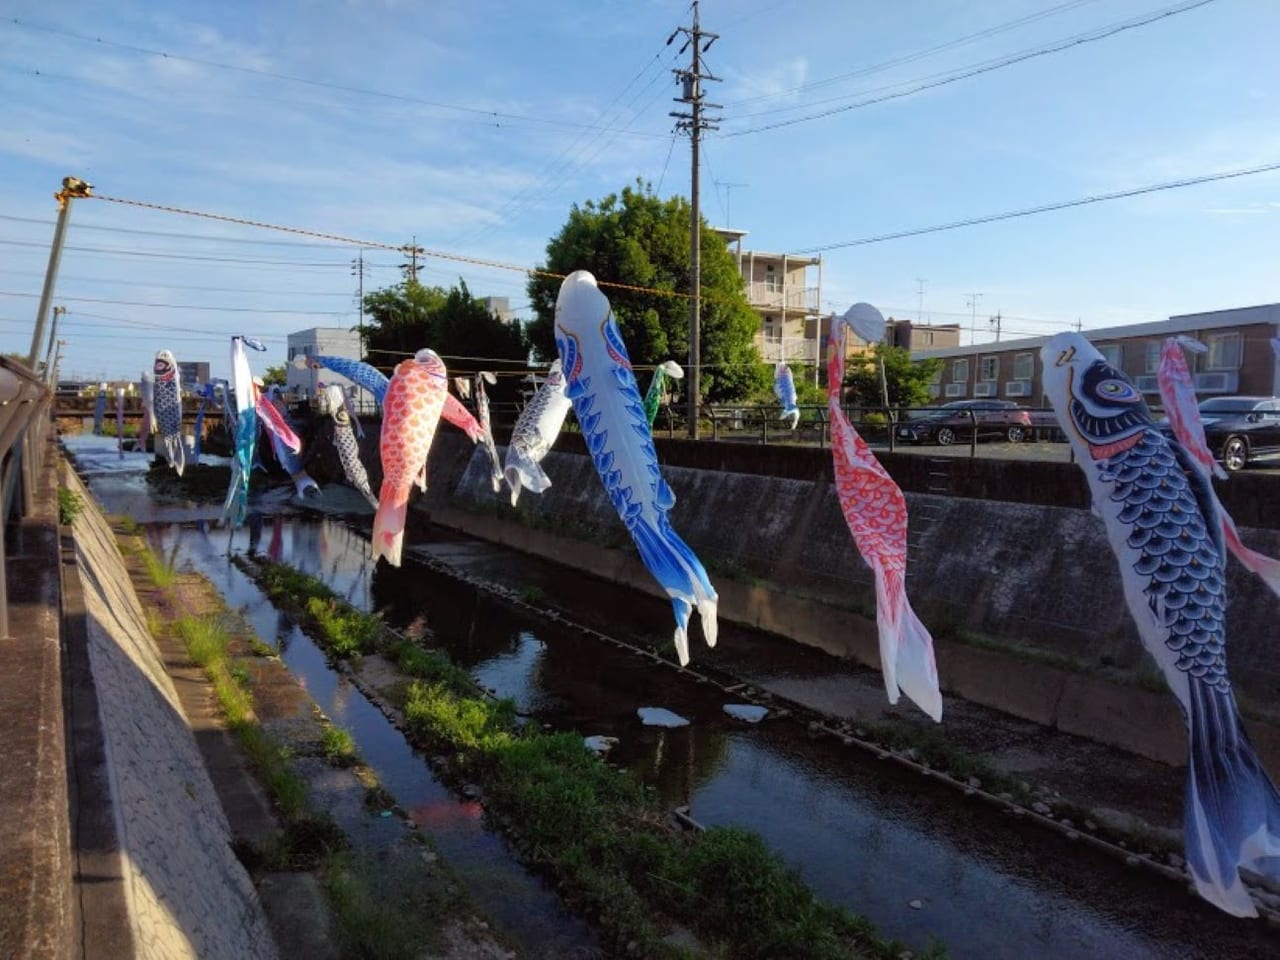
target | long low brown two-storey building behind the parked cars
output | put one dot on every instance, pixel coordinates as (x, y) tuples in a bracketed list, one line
[(1240, 359)]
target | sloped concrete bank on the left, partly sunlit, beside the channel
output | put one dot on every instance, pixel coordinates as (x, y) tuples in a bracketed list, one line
[(163, 839)]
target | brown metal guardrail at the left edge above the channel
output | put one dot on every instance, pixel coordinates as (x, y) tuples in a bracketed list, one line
[(24, 431)]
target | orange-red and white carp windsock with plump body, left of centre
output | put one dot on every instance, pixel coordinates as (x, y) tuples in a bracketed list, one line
[(412, 412)]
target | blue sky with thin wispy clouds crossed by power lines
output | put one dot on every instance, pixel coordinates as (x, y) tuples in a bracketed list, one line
[(474, 127)]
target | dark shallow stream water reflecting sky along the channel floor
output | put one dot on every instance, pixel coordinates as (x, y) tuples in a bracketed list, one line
[(865, 834)]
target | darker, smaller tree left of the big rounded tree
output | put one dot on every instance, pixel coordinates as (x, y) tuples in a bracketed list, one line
[(409, 317)]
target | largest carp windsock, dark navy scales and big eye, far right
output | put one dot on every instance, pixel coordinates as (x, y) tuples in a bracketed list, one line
[(1163, 523)]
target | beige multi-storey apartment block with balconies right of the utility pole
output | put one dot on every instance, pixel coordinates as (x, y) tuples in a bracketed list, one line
[(787, 291)]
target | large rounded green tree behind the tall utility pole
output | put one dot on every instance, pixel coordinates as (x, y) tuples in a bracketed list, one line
[(637, 239)]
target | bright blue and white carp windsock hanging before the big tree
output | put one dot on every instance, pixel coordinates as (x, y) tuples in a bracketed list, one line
[(604, 390)]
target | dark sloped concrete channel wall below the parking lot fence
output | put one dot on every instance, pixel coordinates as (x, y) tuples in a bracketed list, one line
[(1036, 584)]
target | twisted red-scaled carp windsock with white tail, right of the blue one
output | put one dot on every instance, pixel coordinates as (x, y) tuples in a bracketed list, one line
[(875, 510)]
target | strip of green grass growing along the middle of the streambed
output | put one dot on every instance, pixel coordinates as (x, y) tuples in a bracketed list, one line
[(597, 830)]
